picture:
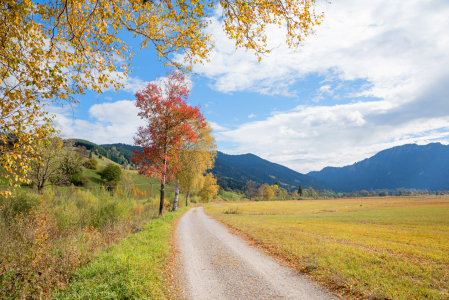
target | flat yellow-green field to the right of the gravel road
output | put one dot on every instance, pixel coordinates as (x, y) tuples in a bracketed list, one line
[(393, 248)]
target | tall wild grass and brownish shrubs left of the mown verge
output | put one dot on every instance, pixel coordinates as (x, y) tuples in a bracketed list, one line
[(46, 238)]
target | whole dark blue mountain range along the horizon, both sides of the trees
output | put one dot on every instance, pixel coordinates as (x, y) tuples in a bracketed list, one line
[(408, 167)]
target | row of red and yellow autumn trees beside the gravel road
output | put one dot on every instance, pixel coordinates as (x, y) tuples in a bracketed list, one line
[(177, 143)]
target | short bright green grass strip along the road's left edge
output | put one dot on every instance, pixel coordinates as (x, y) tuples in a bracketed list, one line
[(132, 269)]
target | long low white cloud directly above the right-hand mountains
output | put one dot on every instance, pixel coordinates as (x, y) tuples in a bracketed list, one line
[(310, 138)]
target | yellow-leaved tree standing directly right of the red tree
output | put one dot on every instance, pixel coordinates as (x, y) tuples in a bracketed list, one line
[(196, 158)]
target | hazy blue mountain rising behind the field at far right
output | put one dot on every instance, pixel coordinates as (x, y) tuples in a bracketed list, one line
[(408, 166)]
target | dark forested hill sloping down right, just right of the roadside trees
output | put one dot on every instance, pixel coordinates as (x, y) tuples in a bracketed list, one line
[(234, 171)]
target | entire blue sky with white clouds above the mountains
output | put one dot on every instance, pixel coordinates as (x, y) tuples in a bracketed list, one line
[(375, 75)]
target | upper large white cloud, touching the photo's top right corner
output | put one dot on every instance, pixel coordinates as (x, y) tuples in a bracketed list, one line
[(397, 46)]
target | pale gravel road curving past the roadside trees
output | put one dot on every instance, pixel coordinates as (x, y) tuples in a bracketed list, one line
[(216, 264)]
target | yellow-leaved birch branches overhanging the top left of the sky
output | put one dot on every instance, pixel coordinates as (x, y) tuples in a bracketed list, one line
[(51, 50)]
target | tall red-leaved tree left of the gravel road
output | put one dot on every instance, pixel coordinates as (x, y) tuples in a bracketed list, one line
[(163, 106)]
